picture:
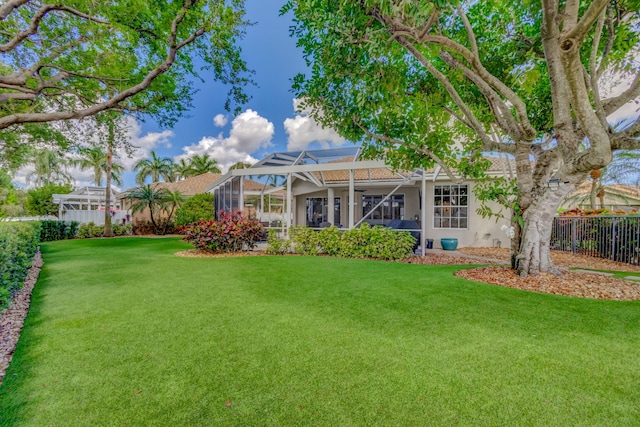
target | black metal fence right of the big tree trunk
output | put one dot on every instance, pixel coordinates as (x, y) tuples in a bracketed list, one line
[(613, 237)]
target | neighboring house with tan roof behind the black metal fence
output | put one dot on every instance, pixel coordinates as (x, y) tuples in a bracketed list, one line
[(616, 197)]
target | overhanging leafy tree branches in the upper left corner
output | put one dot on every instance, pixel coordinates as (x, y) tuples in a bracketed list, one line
[(73, 60)]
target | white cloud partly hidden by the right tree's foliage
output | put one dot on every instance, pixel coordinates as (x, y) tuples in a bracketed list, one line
[(304, 130)]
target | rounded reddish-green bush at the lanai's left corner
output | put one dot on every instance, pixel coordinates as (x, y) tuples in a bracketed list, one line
[(232, 232)]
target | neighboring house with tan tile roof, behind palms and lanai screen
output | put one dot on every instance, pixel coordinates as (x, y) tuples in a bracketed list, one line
[(197, 185)]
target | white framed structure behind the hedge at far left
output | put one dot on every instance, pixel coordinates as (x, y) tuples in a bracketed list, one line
[(87, 204)]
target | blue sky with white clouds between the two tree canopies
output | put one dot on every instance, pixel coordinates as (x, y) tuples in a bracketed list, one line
[(267, 123)]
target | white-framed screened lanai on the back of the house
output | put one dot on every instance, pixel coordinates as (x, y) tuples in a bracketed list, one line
[(328, 187)]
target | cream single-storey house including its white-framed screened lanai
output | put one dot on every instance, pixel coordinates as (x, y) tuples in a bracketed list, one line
[(335, 187)]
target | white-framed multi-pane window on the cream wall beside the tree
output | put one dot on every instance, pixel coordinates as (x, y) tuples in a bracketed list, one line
[(450, 204)]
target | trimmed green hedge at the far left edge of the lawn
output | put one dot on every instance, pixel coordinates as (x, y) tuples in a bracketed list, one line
[(18, 245)]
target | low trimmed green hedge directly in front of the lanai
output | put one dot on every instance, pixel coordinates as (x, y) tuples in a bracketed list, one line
[(363, 242)]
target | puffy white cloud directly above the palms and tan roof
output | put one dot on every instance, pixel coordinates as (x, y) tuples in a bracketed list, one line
[(249, 133)]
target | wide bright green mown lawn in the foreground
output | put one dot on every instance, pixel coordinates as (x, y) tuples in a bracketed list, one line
[(123, 333)]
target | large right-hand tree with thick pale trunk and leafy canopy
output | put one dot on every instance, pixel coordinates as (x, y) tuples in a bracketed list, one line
[(441, 82)]
